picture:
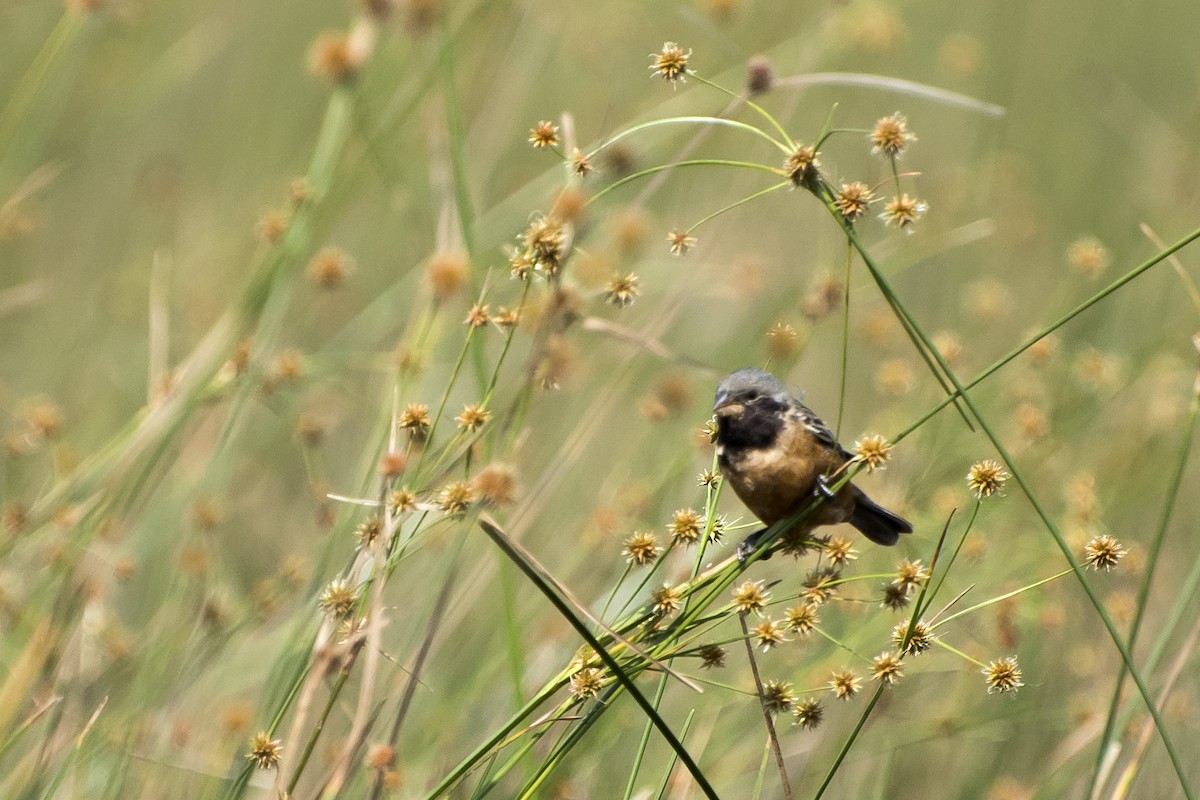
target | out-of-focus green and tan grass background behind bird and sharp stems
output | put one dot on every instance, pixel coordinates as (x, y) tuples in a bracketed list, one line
[(238, 240)]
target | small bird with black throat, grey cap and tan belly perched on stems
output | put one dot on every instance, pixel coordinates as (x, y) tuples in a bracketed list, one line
[(778, 456)]
